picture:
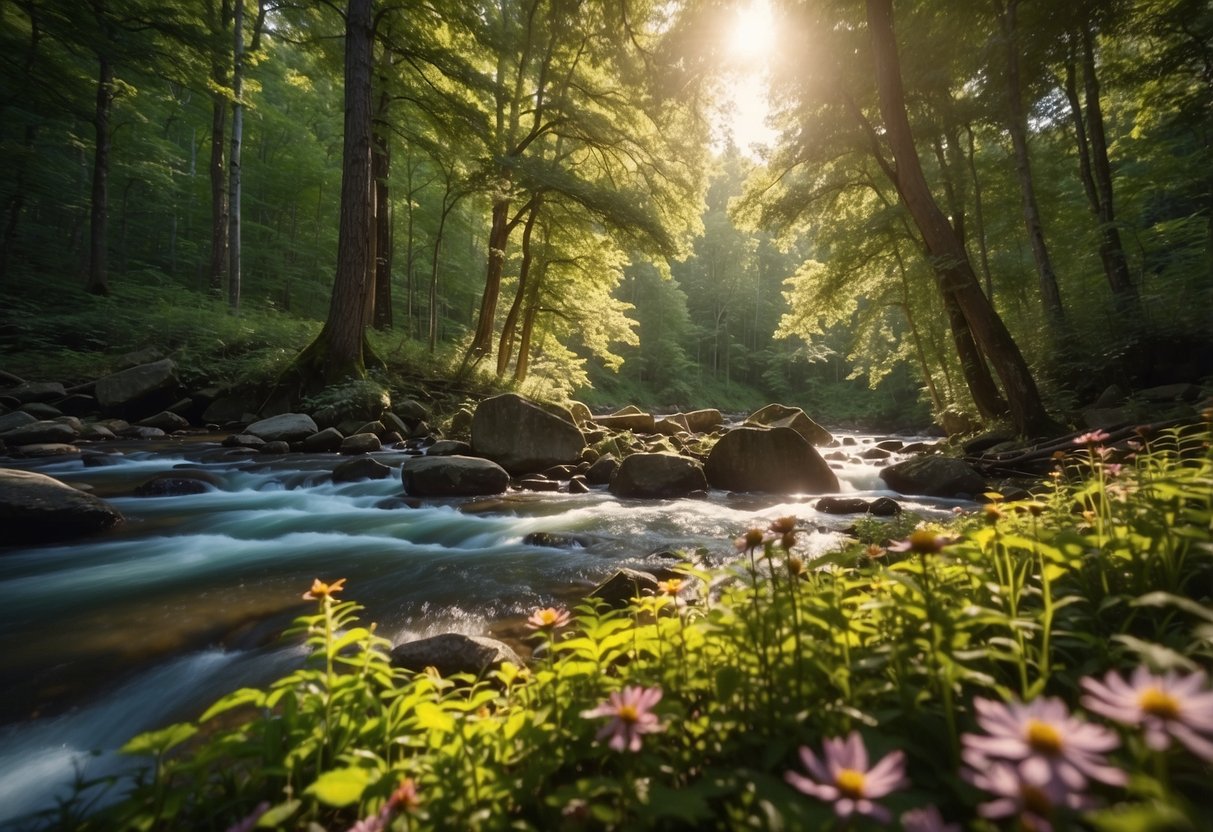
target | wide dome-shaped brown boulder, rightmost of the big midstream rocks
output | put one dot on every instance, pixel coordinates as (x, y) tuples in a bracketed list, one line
[(772, 460)]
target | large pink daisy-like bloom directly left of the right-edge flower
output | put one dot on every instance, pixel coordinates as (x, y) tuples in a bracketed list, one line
[(1045, 740)]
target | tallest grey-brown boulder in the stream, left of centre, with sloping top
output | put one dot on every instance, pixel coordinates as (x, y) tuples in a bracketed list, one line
[(522, 437)]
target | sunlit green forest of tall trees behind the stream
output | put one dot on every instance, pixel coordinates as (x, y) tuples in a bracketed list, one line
[(986, 209)]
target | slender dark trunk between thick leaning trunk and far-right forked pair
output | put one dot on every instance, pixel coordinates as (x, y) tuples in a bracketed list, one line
[(1017, 124)]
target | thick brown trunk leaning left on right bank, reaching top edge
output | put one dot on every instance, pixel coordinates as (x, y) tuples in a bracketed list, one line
[(954, 271)]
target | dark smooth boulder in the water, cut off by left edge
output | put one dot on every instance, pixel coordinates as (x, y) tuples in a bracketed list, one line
[(36, 508)]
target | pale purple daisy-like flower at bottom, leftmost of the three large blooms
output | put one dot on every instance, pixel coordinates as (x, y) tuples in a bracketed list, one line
[(844, 778)]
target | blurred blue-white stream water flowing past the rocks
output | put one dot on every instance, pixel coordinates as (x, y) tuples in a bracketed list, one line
[(110, 636)]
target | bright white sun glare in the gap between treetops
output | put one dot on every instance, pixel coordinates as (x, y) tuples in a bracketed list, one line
[(751, 38)]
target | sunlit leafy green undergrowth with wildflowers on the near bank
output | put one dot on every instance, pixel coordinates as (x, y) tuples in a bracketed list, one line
[(1037, 665)]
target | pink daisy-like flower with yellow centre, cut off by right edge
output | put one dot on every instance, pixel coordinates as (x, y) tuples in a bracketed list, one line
[(1165, 708)]
